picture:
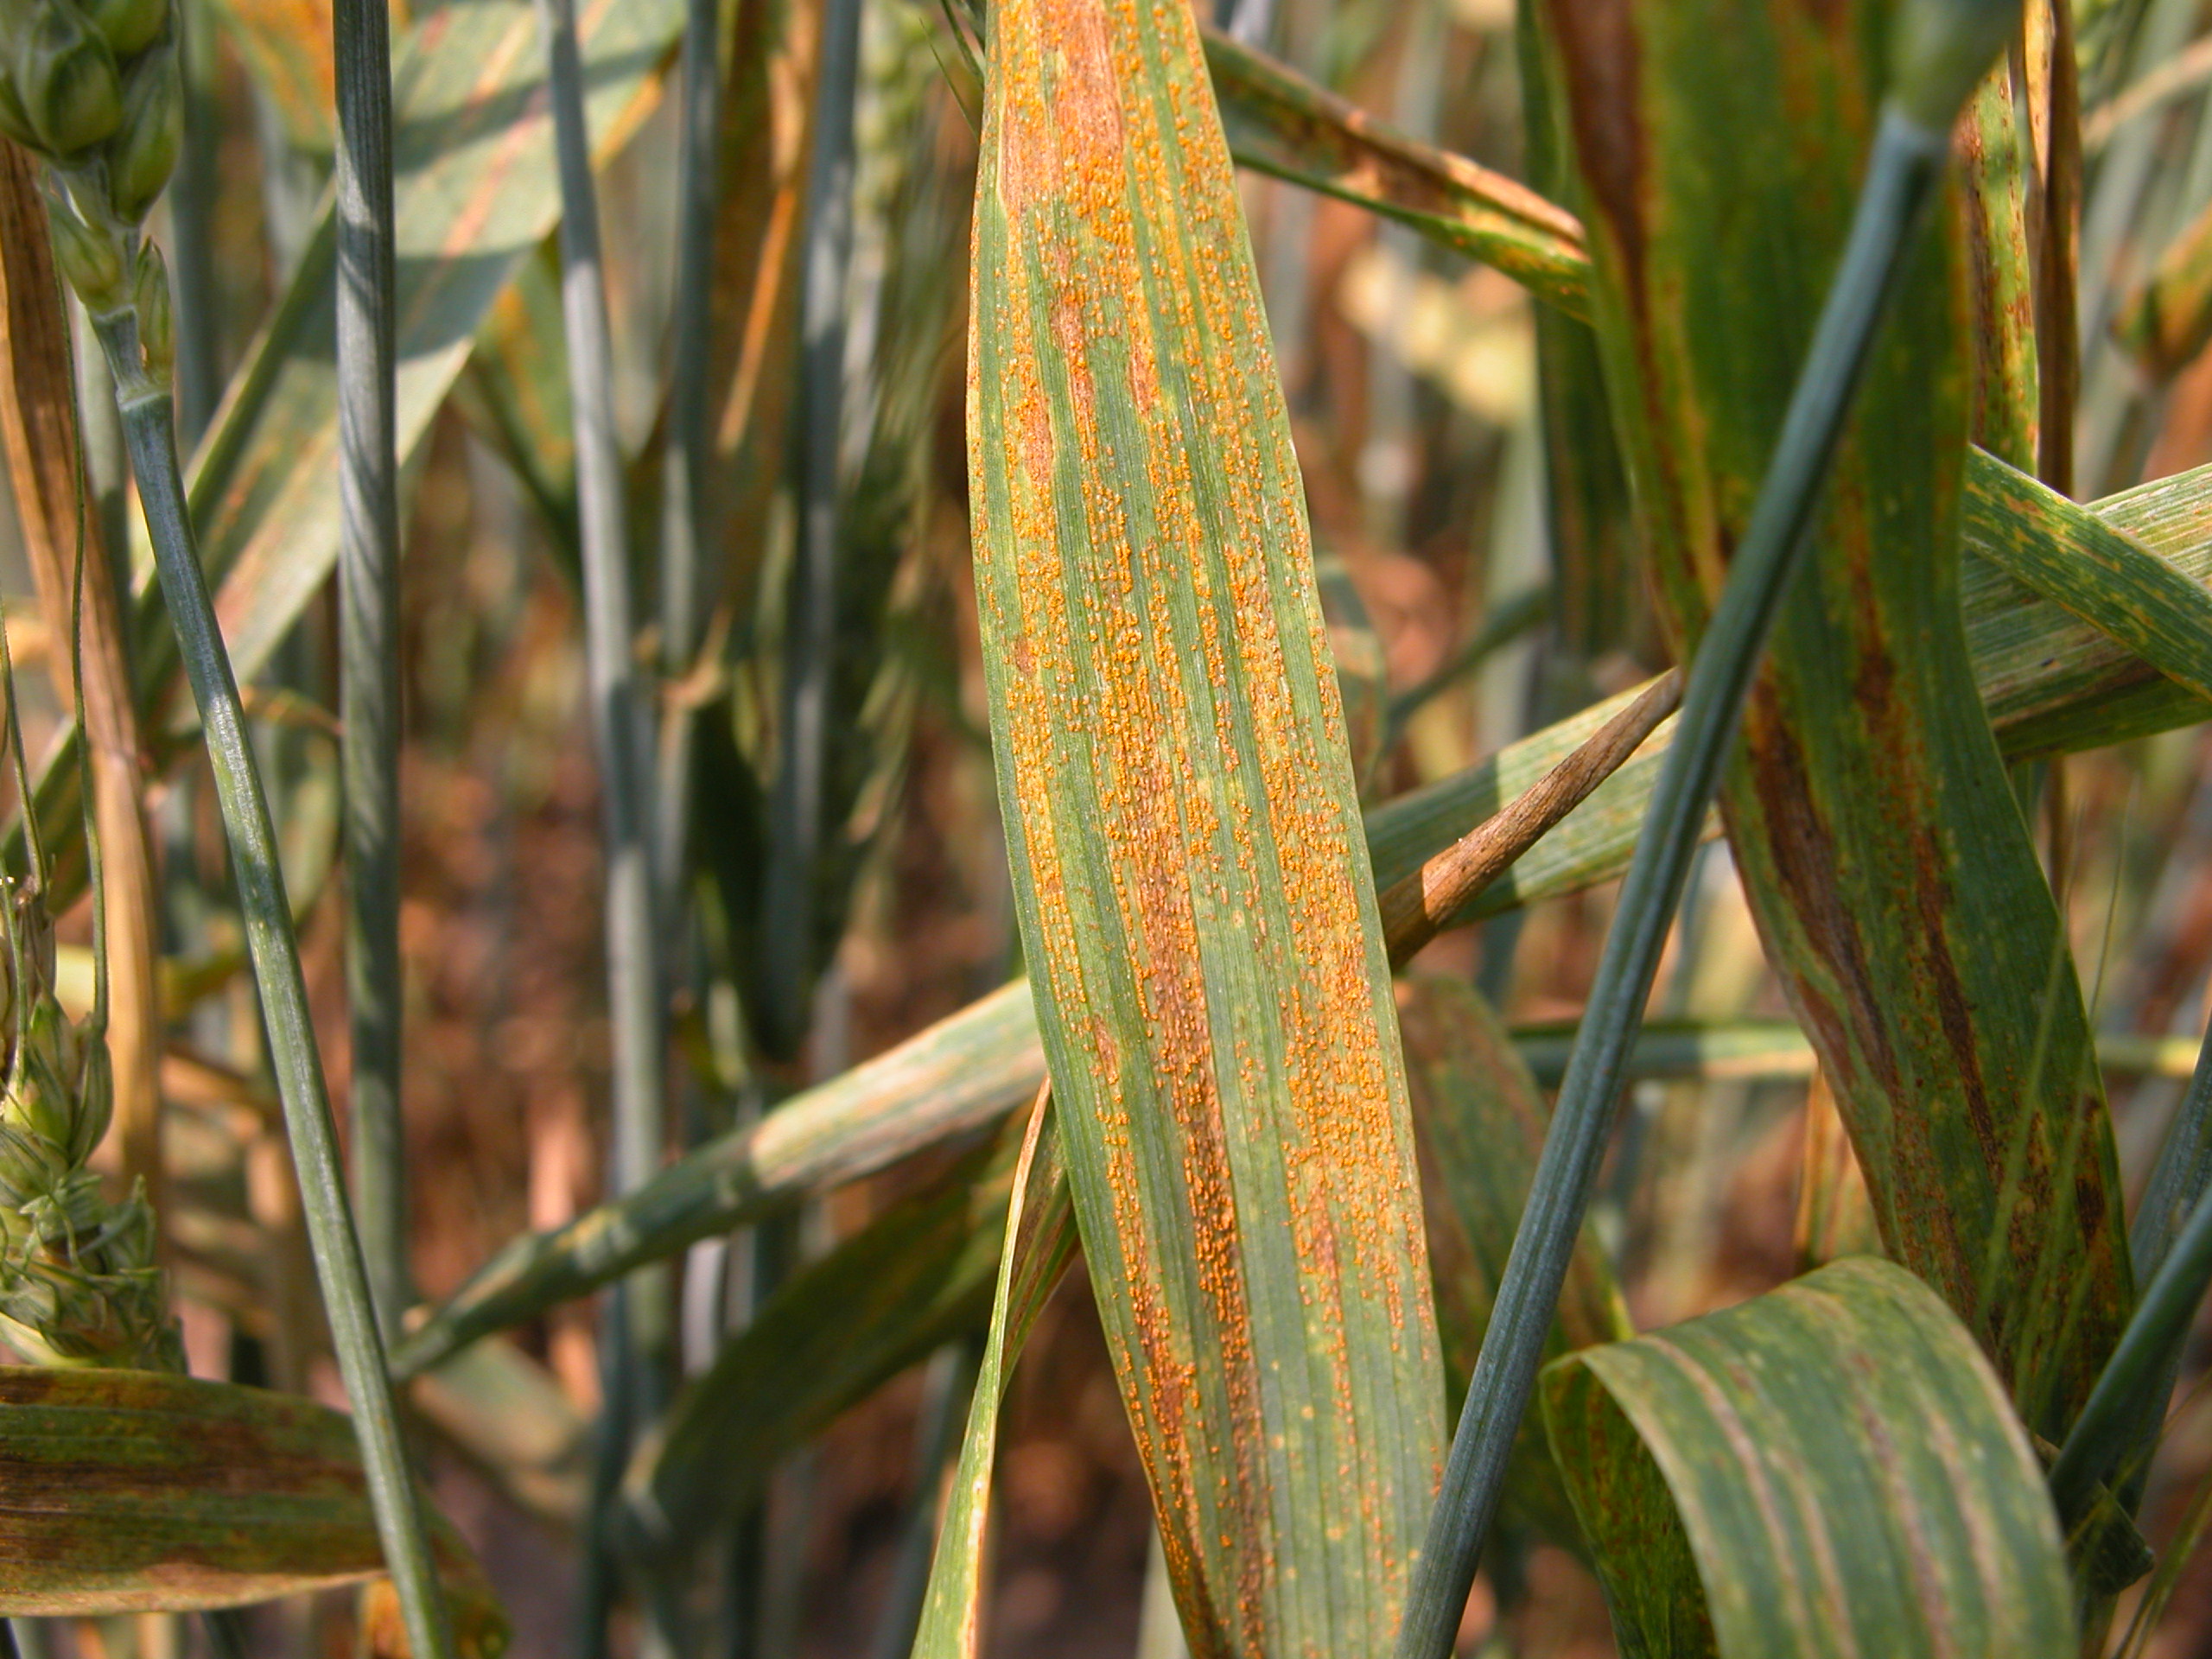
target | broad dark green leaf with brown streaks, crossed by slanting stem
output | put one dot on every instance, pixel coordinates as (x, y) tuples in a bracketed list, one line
[(1868, 808)]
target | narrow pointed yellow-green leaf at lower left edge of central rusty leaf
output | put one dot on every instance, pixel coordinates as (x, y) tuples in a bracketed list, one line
[(1036, 1253)]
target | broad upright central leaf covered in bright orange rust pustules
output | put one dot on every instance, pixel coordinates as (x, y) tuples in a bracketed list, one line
[(1187, 848)]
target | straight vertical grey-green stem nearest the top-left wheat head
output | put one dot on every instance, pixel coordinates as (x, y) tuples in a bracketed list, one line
[(371, 645)]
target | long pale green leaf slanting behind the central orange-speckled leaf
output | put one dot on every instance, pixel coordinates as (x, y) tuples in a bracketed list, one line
[(2047, 678)]
